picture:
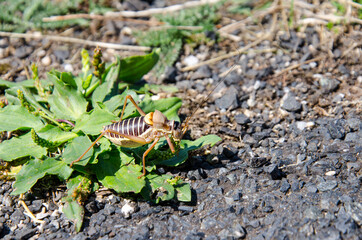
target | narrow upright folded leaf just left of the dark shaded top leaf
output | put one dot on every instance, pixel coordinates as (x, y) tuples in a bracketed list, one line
[(109, 87)]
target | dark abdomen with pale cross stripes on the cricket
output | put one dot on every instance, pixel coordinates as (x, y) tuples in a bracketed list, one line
[(133, 126)]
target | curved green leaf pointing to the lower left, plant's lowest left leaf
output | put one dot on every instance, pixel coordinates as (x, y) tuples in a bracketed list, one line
[(35, 169)]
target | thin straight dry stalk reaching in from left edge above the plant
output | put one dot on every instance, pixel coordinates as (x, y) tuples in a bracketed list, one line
[(76, 40)]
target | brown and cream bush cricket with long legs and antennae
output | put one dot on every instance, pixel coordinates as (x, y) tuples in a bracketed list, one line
[(148, 128)]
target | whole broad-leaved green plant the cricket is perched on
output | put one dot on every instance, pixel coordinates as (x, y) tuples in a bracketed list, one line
[(54, 121)]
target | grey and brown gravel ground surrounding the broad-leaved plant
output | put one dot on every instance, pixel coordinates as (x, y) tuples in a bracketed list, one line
[(289, 165)]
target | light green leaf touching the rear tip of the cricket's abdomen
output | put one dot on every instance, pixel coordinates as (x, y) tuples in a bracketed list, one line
[(94, 122)]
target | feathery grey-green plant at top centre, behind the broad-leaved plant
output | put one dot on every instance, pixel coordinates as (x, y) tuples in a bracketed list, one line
[(171, 37)]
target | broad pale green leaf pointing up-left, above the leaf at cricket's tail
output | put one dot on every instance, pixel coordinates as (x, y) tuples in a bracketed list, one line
[(66, 102)]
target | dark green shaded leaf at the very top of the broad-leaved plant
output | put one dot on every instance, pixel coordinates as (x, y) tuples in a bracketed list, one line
[(133, 68)]
